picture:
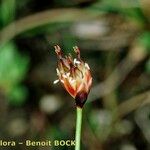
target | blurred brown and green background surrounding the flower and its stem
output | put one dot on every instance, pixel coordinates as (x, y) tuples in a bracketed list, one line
[(114, 38)]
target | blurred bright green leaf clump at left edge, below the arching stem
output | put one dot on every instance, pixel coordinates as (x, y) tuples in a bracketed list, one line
[(13, 68)]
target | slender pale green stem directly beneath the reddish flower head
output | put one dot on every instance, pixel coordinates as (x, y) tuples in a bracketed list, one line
[(78, 128)]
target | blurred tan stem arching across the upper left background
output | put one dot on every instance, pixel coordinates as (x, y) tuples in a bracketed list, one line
[(46, 17)]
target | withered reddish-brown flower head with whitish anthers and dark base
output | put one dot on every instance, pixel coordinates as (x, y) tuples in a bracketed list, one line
[(74, 75)]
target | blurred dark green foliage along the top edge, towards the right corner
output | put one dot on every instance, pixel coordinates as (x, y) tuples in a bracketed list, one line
[(128, 9)]
